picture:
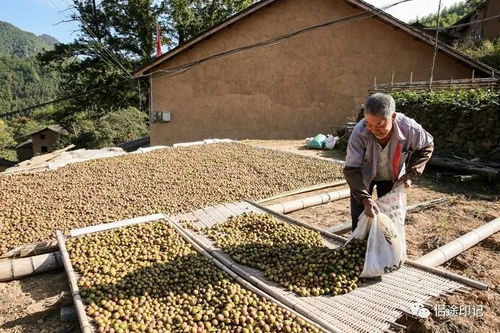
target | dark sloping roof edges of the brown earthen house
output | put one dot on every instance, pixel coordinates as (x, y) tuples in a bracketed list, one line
[(383, 16)]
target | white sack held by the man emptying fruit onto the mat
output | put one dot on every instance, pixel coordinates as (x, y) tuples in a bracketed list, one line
[(386, 244)]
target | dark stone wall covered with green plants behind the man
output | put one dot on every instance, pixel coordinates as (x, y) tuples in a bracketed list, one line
[(463, 123)]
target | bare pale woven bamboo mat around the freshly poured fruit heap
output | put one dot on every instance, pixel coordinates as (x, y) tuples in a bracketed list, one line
[(372, 307)]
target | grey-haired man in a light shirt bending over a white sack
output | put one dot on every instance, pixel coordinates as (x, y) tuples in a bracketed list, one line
[(377, 151)]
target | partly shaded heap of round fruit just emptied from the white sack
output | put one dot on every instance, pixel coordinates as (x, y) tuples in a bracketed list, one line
[(290, 255)]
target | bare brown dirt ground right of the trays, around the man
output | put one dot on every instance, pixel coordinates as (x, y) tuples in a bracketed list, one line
[(470, 205)]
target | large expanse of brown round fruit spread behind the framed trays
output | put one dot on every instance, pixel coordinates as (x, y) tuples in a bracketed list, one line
[(171, 180)]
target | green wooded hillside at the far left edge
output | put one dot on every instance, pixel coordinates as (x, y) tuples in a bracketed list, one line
[(23, 83)]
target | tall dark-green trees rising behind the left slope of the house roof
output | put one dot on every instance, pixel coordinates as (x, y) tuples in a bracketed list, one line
[(115, 38)]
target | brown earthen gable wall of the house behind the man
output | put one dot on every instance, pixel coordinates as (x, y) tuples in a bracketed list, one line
[(296, 88)]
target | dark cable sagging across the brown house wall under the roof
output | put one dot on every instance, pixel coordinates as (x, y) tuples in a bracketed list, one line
[(184, 67)]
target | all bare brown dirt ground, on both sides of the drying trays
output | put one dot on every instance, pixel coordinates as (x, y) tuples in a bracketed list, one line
[(33, 304)]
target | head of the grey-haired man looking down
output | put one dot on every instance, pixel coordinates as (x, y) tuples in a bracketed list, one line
[(380, 110)]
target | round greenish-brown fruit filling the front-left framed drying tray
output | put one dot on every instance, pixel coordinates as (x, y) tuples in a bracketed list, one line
[(146, 278)]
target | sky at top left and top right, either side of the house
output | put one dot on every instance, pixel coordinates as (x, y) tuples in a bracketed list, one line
[(45, 16)]
